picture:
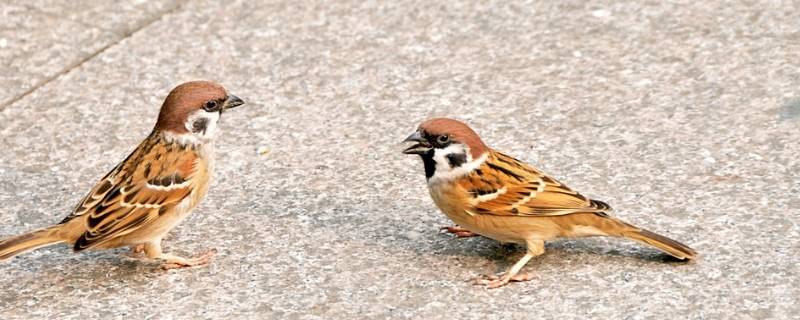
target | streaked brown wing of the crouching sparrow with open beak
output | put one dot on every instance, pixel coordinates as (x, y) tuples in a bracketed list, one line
[(506, 186)]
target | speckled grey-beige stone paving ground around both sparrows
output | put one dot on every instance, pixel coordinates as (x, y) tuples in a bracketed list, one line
[(684, 116)]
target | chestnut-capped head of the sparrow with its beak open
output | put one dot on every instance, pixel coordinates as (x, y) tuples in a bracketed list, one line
[(449, 148)]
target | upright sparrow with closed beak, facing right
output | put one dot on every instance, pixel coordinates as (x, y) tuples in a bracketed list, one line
[(152, 190)]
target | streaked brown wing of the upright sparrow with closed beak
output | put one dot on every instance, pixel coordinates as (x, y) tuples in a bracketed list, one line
[(150, 181)]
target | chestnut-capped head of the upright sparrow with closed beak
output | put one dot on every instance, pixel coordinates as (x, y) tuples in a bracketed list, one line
[(192, 110)]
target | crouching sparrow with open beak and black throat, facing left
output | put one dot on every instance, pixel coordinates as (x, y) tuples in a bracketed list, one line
[(488, 193)]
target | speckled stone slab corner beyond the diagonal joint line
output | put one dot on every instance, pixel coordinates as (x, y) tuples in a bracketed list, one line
[(42, 39)]
